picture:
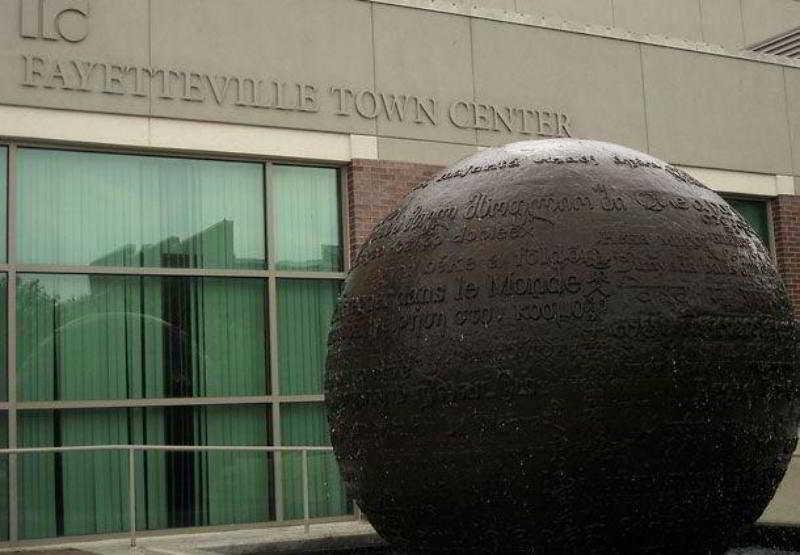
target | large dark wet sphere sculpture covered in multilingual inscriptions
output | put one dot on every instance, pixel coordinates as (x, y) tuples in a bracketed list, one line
[(563, 345)]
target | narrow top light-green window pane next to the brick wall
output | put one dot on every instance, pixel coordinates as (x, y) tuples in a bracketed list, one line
[(307, 214)]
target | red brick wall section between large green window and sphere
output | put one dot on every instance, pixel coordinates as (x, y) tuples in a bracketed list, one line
[(374, 188)]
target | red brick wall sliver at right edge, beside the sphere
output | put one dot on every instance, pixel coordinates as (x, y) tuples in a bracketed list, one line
[(786, 225)]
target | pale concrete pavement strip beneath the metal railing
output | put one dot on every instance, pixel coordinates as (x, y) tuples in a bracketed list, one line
[(290, 539)]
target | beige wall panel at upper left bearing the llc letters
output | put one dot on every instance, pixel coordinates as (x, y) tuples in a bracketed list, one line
[(115, 33)]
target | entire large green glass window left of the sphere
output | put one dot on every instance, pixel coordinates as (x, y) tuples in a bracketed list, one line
[(138, 338)]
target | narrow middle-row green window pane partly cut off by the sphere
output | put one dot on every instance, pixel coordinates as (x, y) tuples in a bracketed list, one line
[(305, 308)]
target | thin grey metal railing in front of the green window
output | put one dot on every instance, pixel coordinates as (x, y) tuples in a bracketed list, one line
[(132, 449)]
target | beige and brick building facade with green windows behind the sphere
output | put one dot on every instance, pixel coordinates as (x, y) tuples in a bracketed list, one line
[(185, 181)]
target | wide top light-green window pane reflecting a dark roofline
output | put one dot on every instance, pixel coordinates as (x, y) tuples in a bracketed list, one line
[(83, 208)]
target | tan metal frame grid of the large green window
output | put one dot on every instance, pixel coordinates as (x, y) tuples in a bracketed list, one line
[(269, 275)]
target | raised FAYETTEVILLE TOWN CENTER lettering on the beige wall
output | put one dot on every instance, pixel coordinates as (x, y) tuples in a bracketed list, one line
[(269, 93)]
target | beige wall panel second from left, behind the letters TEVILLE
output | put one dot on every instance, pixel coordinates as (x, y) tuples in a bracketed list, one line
[(297, 42)]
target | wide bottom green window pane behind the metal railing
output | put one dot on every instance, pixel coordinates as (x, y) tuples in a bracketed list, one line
[(87, 493)]
